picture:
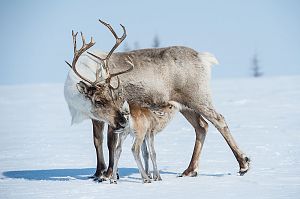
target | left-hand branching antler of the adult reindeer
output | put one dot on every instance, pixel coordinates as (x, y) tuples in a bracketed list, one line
[(78, 53)]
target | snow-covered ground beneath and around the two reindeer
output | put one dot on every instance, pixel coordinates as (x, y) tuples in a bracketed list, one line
[(42, 156)]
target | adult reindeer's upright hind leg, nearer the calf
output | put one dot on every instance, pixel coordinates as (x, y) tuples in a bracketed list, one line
[(201, 128)]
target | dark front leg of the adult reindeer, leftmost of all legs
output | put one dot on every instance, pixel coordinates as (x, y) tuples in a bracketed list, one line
[(98, 142)]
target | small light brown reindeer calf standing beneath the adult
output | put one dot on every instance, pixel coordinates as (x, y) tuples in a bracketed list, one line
[(143, 124)]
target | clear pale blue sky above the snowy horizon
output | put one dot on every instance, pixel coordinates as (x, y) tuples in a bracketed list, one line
[(36, 35)]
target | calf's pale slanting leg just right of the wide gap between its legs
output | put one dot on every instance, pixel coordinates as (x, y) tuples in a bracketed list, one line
[(136, 148)]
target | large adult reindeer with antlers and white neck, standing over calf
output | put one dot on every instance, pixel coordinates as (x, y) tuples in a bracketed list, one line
[(178, 74)]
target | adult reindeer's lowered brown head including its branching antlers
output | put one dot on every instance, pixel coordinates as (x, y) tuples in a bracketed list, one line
[(106, 100)]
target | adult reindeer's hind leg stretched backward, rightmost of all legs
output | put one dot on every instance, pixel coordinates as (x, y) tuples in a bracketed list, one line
[(219, 122)]
